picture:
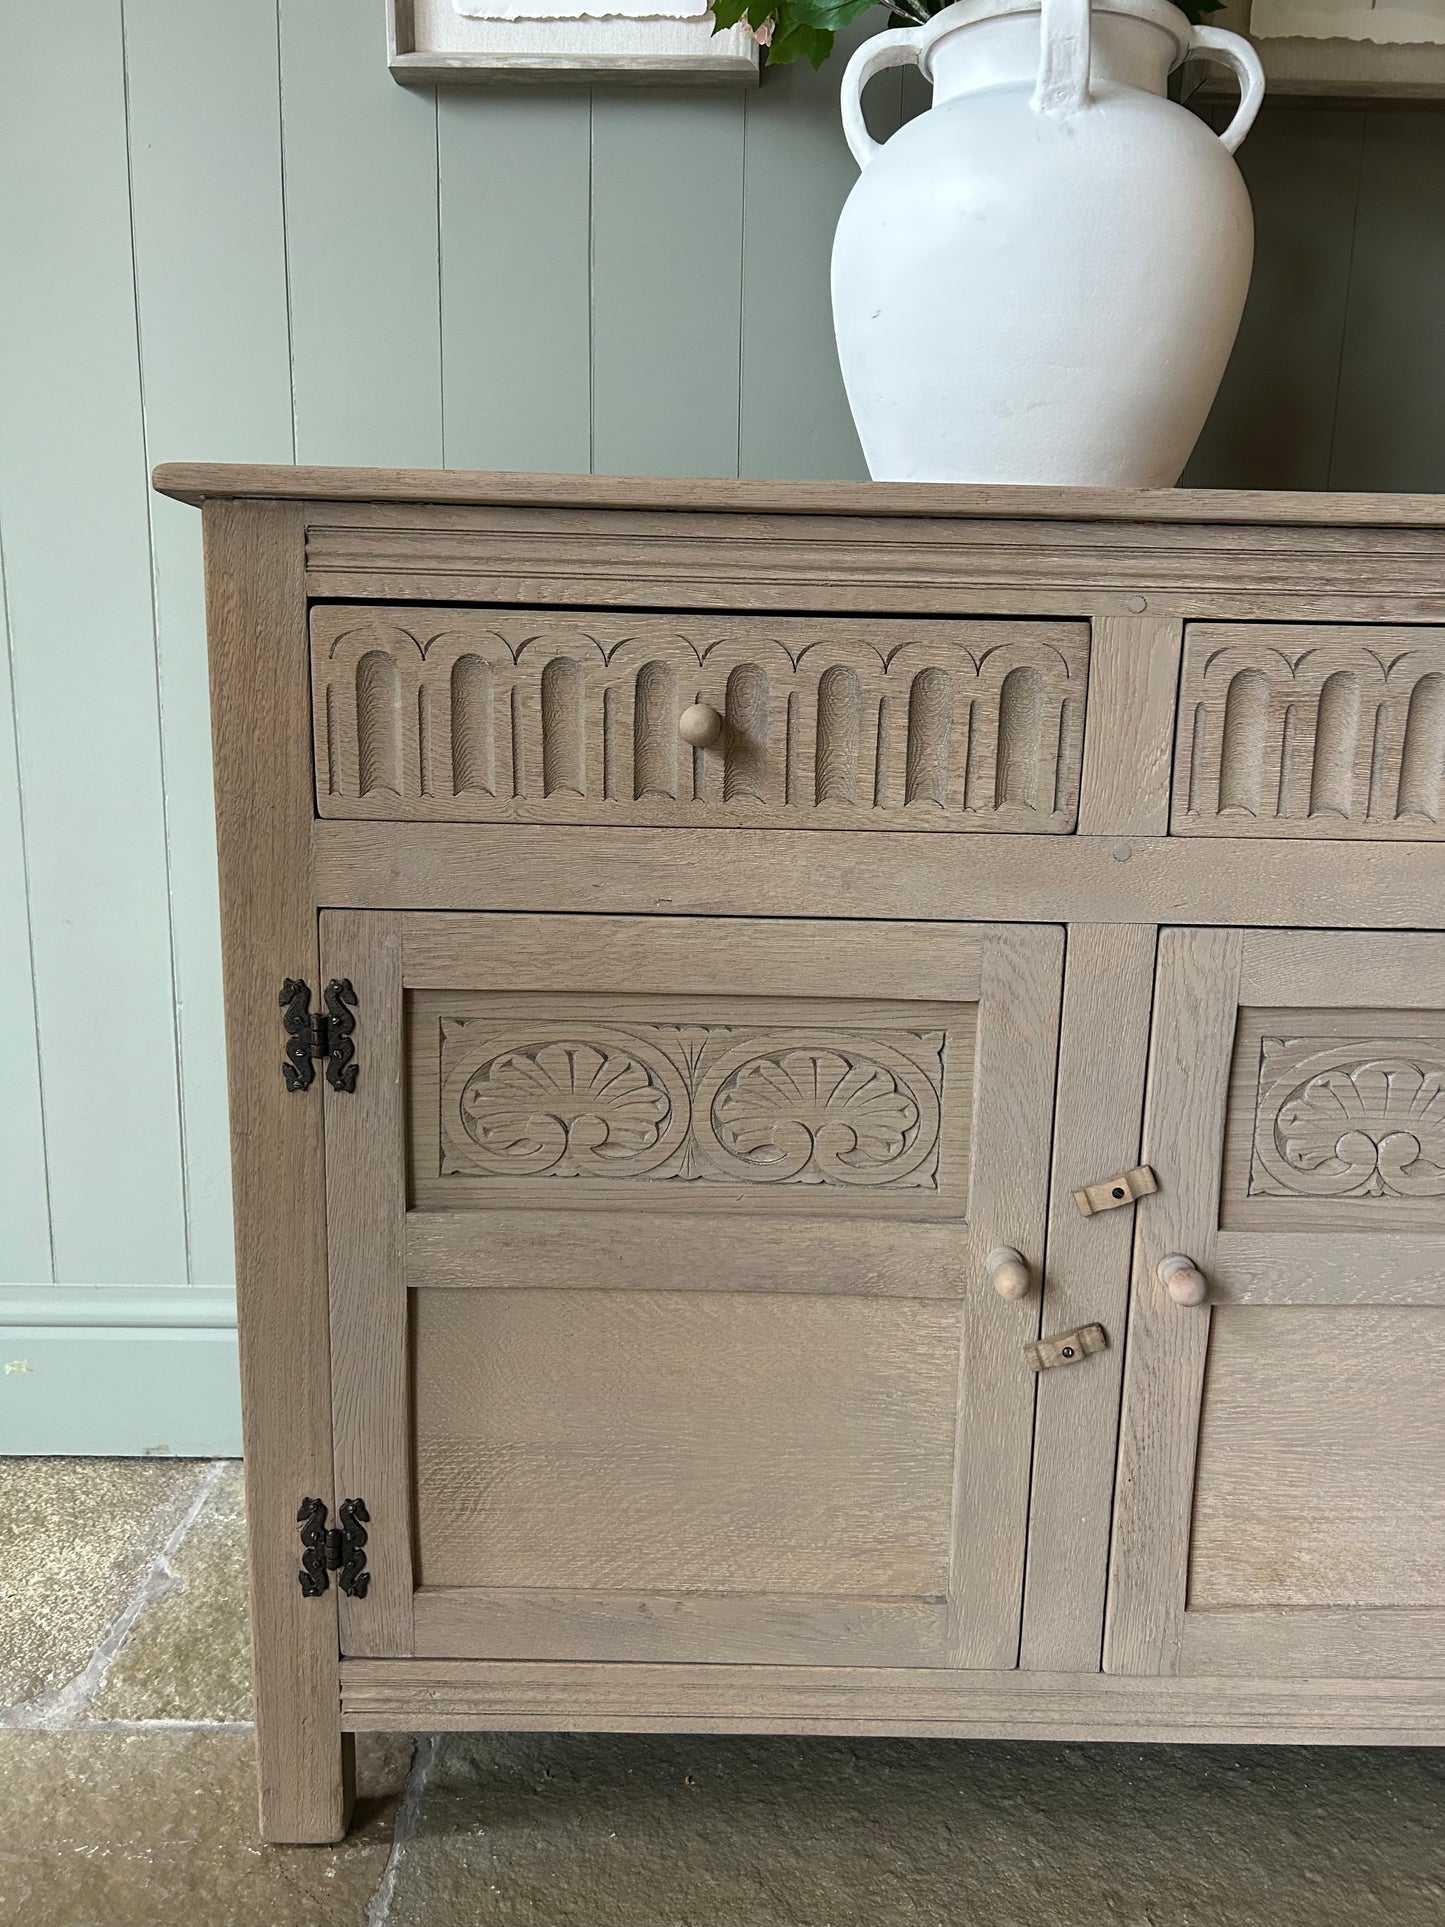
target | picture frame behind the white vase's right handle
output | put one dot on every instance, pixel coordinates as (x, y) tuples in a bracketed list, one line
[(1319, 65)]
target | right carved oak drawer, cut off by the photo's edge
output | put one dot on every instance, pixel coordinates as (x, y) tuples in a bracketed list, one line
[(1303, 729)]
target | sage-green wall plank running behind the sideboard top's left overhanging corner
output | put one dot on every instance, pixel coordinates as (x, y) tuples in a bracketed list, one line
[(205, 120)]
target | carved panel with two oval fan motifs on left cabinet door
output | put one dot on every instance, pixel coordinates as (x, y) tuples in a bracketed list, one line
[(706, 1103)]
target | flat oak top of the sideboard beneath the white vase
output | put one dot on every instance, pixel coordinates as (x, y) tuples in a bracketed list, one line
[(199, 483)]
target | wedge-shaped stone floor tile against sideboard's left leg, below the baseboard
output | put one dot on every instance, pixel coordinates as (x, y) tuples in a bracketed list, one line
[(188, 1656)]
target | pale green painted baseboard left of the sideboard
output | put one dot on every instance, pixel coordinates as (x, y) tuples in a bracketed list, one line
[(118, 1371)]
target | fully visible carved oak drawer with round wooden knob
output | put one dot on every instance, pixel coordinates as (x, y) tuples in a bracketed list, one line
[(494, 716)]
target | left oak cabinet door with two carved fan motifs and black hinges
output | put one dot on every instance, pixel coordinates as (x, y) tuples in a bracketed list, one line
[(660, 1284)]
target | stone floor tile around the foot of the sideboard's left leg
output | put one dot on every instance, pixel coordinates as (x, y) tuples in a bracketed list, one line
[(159, 1830)]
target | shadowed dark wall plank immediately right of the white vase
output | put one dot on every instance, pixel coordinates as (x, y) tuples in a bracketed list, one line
[(1274, 419)]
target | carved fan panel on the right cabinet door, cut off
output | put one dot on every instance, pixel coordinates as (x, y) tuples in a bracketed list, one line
[(1350, 1119)]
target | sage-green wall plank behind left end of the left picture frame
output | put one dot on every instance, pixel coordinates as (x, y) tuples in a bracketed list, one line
[(361, 209)]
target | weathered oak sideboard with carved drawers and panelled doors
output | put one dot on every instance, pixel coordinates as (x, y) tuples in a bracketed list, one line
[(839, 1107)]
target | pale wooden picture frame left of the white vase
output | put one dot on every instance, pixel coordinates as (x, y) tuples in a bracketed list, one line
[(429, 43)]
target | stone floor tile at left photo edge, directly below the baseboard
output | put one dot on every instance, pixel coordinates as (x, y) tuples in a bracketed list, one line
[(76, 1541)]
